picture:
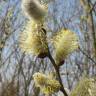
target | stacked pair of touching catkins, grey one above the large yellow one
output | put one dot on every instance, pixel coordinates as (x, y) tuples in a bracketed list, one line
[(33, 39)]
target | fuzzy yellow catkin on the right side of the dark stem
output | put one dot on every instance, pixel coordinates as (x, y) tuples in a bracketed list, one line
[(65, 42)]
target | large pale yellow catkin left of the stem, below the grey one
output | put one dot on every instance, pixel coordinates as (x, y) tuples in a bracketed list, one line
[(33, 40)]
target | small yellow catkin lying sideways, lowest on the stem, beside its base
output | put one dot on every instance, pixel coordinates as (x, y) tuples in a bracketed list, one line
[(46, 84)]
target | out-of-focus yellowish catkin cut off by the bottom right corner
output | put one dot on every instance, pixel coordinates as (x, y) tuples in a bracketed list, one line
[(85, 87)]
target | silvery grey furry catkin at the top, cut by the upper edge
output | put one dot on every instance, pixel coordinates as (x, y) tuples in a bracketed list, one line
[(33, 9)]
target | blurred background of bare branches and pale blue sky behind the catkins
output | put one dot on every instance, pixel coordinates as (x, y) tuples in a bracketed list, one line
[(17, 68)]
